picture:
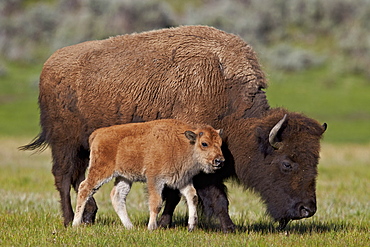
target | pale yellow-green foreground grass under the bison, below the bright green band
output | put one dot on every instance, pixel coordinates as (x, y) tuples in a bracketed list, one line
[(30, 215)]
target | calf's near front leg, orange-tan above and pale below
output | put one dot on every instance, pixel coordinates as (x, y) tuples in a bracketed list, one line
[(155, 201)]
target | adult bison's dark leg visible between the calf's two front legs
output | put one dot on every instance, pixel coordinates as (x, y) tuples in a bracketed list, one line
[(171, 198)]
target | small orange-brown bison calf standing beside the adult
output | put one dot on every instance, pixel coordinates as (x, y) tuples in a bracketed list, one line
[(163, 152)]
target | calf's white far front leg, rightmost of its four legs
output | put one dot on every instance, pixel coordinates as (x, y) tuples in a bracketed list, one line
[(192, 200)]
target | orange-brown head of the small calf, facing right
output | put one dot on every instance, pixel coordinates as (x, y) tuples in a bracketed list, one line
[(207, 148)]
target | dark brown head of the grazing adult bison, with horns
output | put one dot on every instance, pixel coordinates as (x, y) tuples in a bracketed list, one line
[(288, 145)]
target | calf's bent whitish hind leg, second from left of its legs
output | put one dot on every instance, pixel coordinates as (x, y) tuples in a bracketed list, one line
[(118, 197)]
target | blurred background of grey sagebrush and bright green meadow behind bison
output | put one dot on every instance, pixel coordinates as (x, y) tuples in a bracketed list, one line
[(316, 54)]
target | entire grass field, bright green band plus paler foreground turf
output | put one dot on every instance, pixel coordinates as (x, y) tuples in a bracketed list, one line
[(30, 215)]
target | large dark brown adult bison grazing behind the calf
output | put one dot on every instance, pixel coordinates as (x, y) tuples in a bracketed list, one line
[(194, 73)]
